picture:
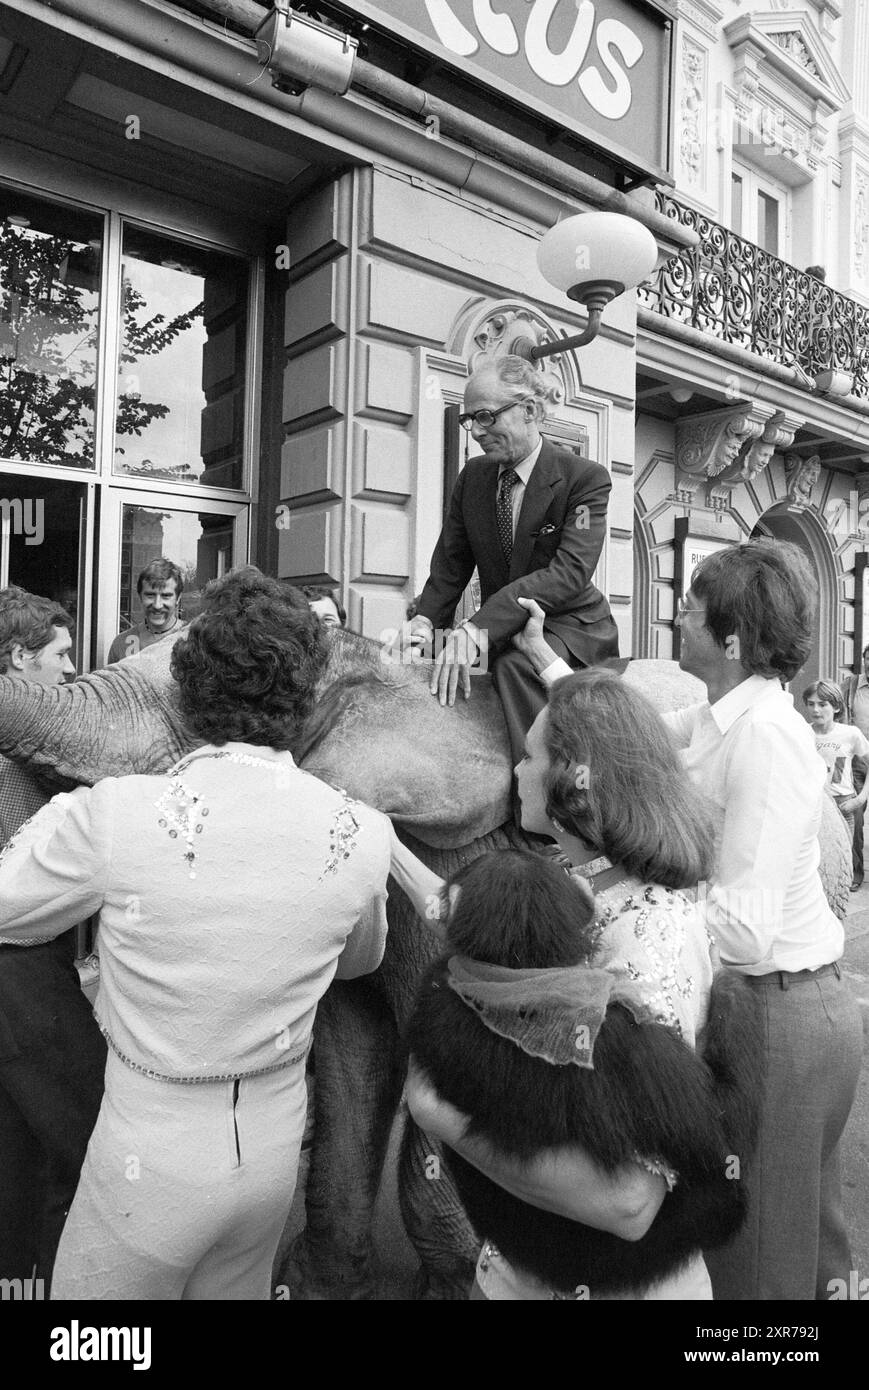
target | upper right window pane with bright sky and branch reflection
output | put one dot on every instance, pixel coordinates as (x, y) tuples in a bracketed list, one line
[(183, 363)]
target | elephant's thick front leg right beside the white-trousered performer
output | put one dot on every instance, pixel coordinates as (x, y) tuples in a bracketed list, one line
[(359, 1075)]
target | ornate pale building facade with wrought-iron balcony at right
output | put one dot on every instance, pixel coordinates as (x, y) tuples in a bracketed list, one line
[(753, 358)]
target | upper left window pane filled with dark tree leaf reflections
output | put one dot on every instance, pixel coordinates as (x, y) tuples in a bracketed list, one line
[(49, 308)]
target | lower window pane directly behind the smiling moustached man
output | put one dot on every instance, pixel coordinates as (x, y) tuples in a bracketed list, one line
[(201, 546)]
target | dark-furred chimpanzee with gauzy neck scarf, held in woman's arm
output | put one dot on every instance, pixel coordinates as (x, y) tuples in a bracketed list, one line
[(542, 1050)]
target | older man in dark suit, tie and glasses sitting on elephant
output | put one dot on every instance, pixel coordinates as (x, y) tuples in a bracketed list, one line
[(532, 518)]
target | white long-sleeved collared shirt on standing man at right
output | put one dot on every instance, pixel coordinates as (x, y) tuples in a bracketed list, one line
[(756, 762)]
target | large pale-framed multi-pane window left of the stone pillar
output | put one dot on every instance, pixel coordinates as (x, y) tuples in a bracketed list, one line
[(127, 407)]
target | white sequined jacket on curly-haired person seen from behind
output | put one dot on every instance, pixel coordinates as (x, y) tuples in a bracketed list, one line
[(232, 892)]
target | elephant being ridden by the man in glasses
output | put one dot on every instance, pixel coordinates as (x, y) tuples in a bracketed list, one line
[(444, 776)]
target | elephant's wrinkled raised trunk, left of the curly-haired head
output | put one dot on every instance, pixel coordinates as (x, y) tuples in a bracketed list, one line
[(111, 723)]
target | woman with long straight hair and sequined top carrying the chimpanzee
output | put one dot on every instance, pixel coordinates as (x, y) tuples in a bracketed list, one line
[(603, 778)]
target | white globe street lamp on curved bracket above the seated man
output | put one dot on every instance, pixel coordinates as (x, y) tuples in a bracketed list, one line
[(594, 258)]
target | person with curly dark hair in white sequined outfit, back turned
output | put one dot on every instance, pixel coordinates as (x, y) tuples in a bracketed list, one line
[(232, 892)]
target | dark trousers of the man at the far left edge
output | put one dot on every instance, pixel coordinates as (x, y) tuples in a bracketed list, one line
[(52, 1064)]
